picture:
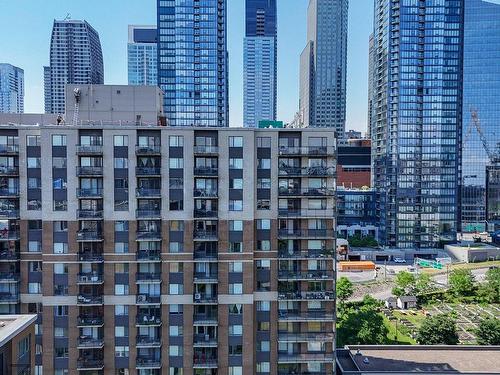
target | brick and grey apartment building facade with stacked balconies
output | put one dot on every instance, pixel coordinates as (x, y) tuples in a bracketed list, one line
[(160, 250)]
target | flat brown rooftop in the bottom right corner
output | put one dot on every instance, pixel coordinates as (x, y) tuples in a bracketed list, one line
[(421, 359)]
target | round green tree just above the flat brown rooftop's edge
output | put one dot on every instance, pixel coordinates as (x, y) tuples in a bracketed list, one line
[(439, 329)]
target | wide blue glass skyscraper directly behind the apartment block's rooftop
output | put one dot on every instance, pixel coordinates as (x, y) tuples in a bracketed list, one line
[(193, 62)]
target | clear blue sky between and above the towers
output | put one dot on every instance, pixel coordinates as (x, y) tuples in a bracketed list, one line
[(26, 27)]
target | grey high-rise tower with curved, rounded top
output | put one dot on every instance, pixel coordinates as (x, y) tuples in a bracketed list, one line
[(75, 57)]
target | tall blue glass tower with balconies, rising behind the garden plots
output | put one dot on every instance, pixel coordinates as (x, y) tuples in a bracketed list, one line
[(417, 109)]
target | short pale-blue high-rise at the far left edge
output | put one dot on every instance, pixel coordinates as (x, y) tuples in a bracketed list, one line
[(11, 89)]
